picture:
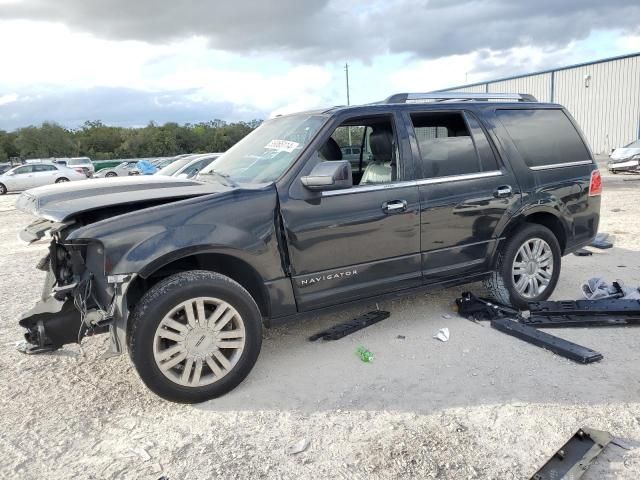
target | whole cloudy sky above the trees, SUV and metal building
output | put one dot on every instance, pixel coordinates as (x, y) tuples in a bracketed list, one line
[(127, 62)]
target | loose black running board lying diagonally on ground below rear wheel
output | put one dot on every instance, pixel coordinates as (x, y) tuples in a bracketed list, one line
[(557, 345)]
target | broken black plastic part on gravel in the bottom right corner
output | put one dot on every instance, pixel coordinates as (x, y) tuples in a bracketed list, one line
[(575, 456)]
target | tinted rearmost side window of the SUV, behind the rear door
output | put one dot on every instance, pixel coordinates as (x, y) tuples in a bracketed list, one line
[(544, 137)]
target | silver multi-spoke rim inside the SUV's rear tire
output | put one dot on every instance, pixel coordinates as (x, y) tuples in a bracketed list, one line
[(532, 268)]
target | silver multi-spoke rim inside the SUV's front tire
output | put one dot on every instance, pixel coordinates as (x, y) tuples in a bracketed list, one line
[(199, 341)]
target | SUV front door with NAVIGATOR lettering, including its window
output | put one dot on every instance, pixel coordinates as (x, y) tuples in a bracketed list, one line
[(363, 241)]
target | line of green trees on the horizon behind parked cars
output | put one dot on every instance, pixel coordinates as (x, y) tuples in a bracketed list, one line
[(102, 142)]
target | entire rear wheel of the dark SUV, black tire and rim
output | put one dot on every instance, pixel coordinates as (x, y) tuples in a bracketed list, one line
[(503, 282)]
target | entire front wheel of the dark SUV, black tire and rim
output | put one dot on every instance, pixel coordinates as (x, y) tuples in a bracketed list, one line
[(162, 313)]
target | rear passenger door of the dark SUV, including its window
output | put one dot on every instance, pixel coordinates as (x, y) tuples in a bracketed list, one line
[(466, 193)]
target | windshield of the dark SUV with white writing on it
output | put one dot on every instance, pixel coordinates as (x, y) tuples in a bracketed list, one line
[(267, 152)]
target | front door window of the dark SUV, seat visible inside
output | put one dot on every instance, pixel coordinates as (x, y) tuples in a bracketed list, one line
[(370, 146)]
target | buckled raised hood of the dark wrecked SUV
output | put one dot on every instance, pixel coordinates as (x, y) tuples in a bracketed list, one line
[(61, 202)]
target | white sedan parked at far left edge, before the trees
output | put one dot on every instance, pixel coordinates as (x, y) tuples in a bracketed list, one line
[(34, 175)]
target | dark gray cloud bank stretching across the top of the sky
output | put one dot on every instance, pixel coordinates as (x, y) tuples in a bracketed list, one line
[(323, 30)]
